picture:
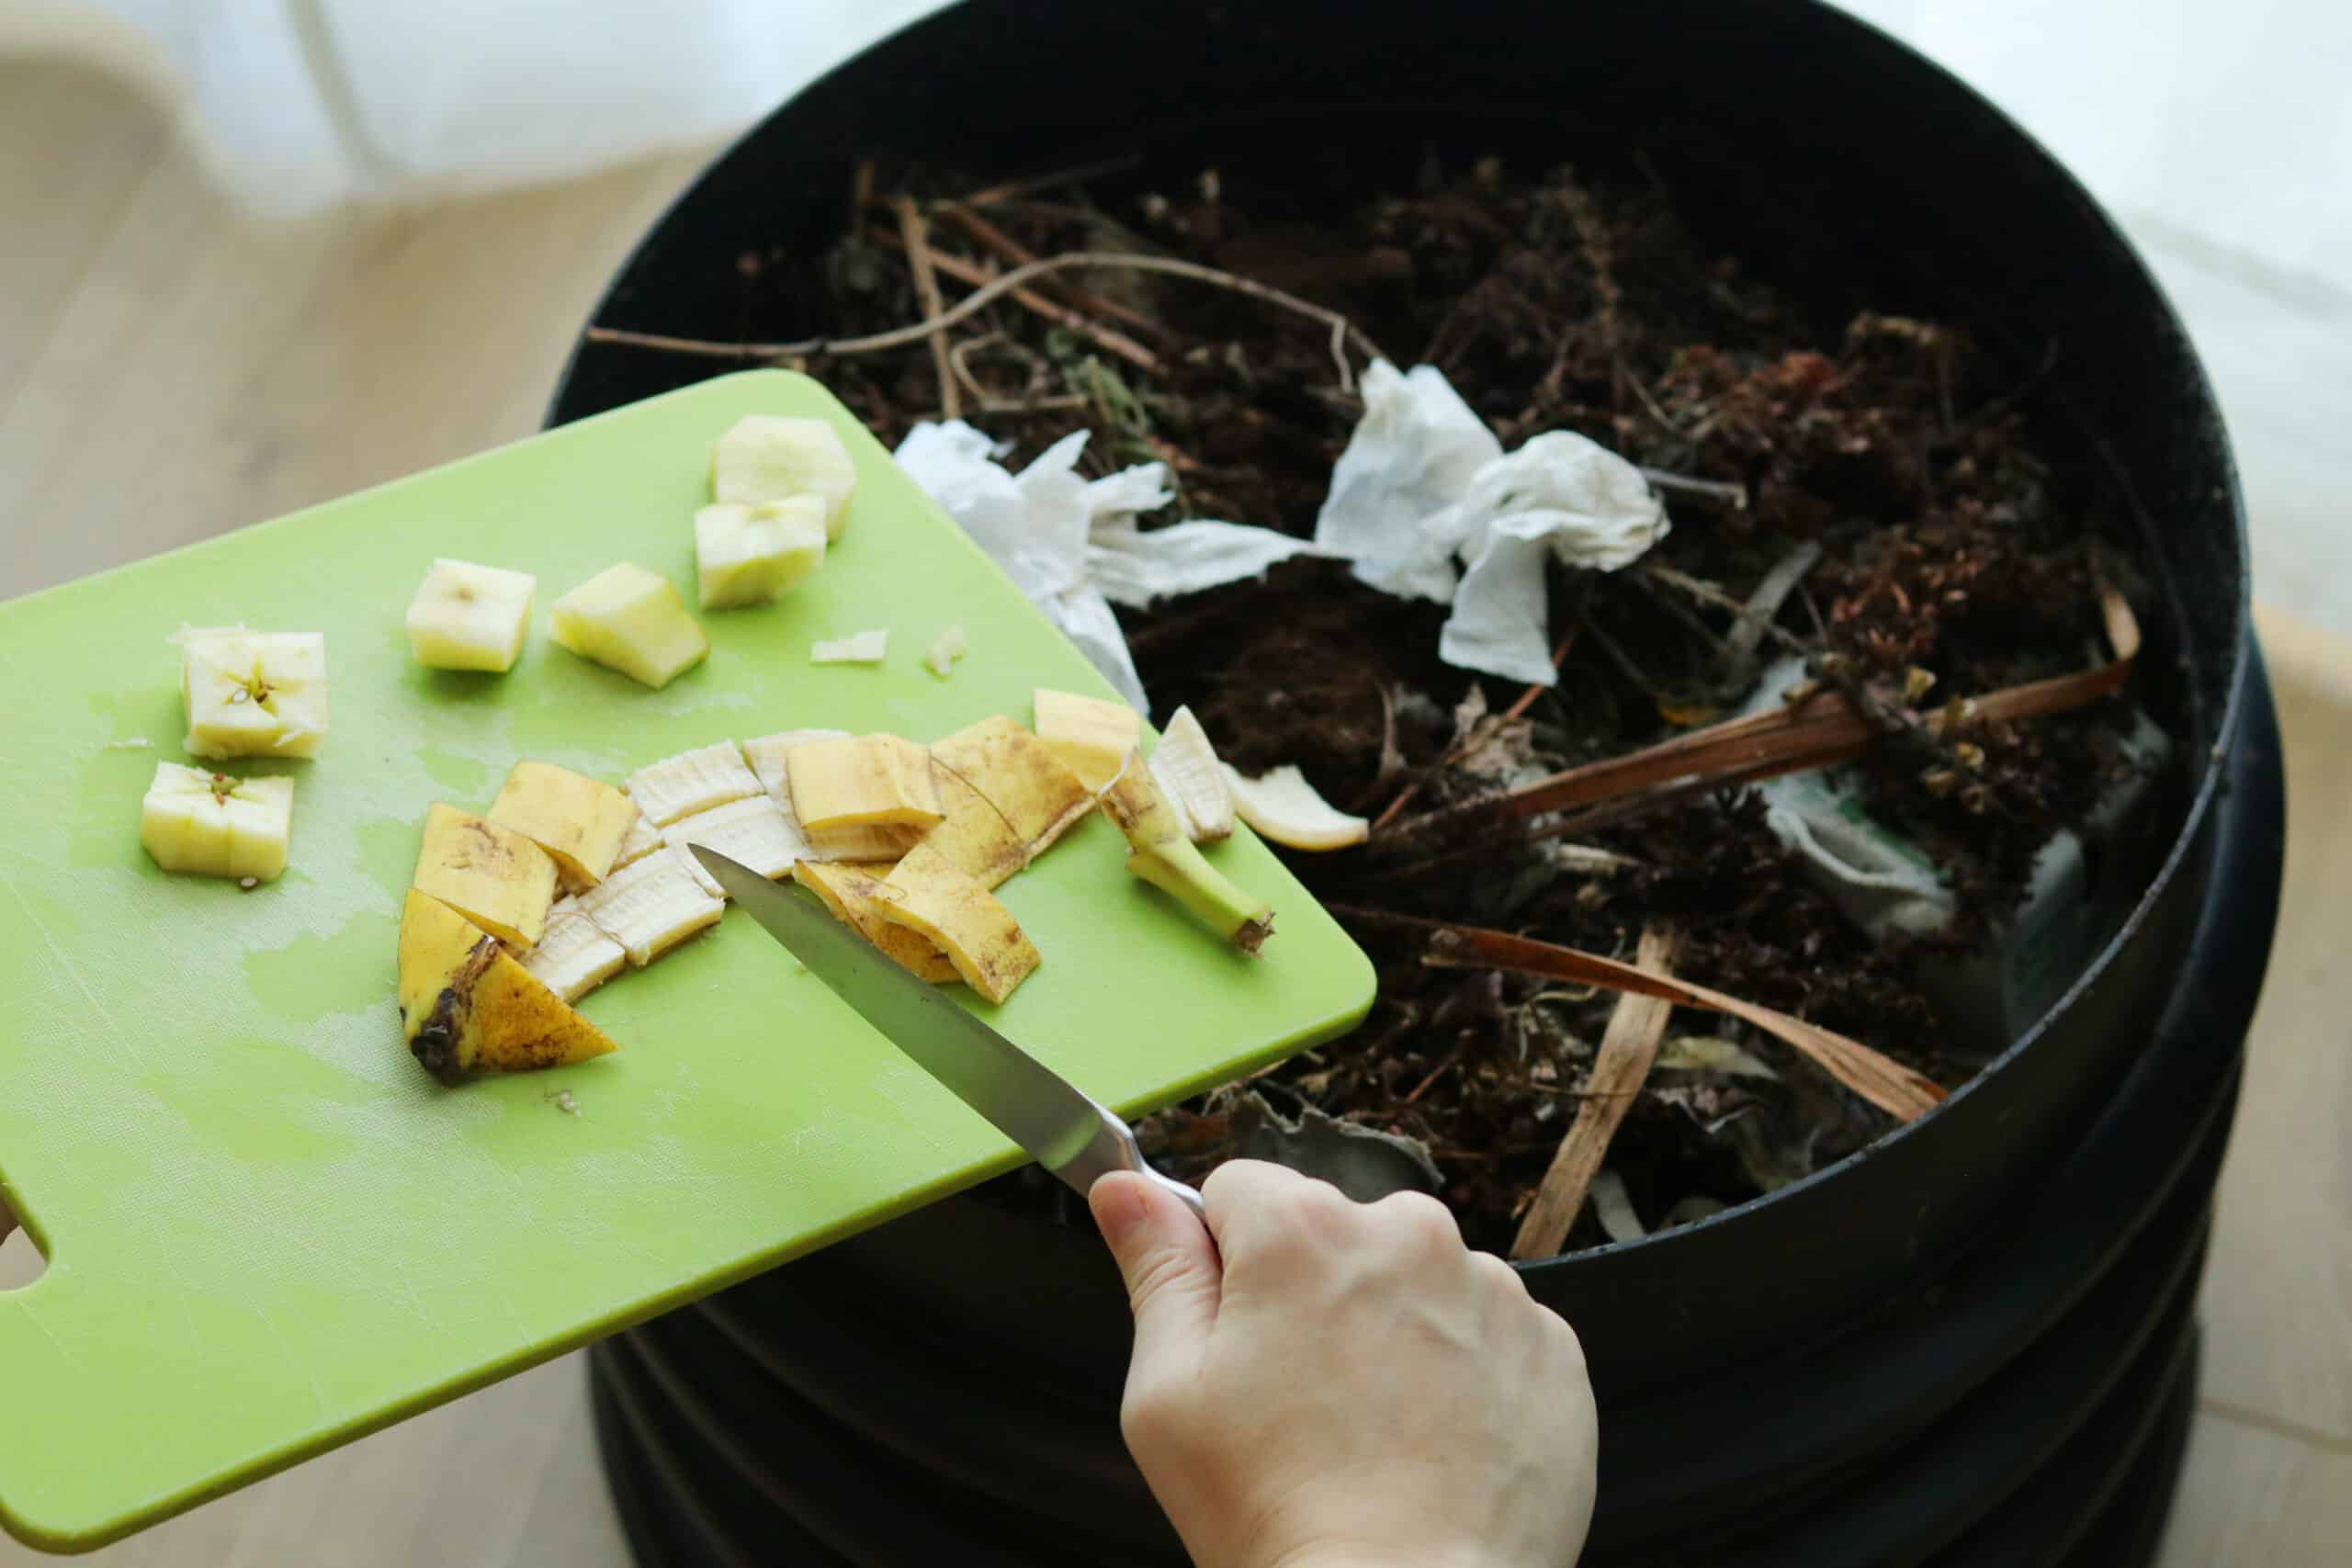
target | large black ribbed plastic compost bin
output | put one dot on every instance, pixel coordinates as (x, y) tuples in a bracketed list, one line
[(1808, 1360)]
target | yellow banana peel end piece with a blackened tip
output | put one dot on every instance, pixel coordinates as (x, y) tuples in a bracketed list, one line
[(469, 1007)]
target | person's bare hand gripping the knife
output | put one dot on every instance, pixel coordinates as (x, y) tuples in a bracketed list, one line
[(1342, 1383)]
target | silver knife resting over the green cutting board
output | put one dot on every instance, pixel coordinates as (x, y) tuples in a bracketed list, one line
[(1017, 1094)]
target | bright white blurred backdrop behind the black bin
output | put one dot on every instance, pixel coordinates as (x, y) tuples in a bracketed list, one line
[(2219, 135)]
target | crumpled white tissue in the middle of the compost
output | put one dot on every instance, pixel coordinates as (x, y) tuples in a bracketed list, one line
[(1424, 485)]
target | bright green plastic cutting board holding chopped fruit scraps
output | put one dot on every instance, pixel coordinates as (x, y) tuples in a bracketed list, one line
[(267, 1228)]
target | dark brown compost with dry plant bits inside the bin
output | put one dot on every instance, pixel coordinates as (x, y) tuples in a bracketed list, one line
[(1956, 540)]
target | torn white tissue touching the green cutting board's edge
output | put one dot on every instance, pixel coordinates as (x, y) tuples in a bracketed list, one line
[(1074, 544)]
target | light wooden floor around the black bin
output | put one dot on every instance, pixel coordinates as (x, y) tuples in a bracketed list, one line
[(171, 368)]
